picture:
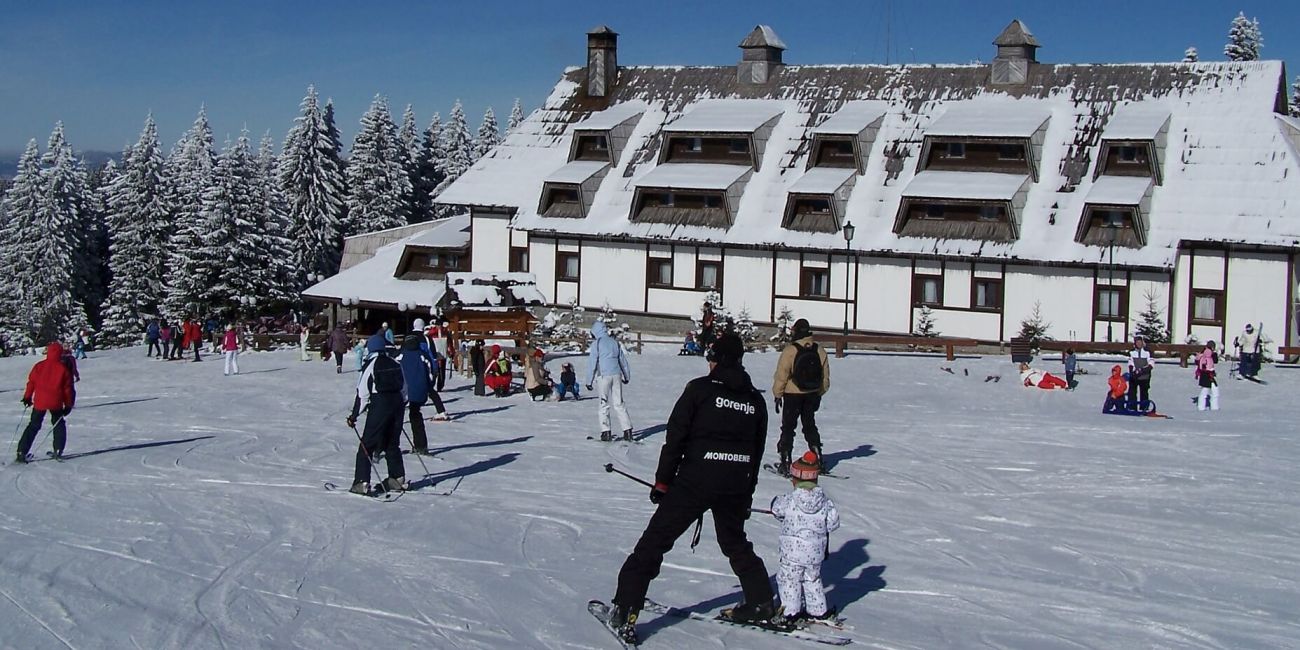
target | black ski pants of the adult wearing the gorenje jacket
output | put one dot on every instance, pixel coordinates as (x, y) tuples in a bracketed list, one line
[(677, 513)]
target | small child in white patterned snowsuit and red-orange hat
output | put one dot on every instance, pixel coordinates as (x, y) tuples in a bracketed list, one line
[(808, 517)]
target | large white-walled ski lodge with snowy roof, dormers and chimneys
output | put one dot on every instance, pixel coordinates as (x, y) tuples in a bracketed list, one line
[(976, 190)]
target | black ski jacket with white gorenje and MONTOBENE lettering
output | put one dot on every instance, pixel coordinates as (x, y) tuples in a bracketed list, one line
[(716, 436)]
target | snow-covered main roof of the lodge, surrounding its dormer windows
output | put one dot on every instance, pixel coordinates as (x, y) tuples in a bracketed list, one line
[(1233, 179)]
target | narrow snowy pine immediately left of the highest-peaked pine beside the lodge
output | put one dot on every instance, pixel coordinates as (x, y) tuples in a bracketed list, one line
[(275, 226)]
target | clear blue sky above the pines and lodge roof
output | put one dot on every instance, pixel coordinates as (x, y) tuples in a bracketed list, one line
[(101, 67)]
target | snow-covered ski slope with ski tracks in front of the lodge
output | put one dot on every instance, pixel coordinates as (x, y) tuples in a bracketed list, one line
[(976, 515)]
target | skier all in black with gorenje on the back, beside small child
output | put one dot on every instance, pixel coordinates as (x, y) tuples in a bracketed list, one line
[(710, 462)]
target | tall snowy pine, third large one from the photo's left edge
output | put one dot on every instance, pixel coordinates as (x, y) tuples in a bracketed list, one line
[(192, 265)]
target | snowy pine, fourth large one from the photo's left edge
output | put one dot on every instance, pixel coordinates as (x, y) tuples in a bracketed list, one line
[(233, 210)]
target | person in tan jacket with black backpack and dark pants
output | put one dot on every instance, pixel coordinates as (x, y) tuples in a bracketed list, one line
[(803, 376)]
